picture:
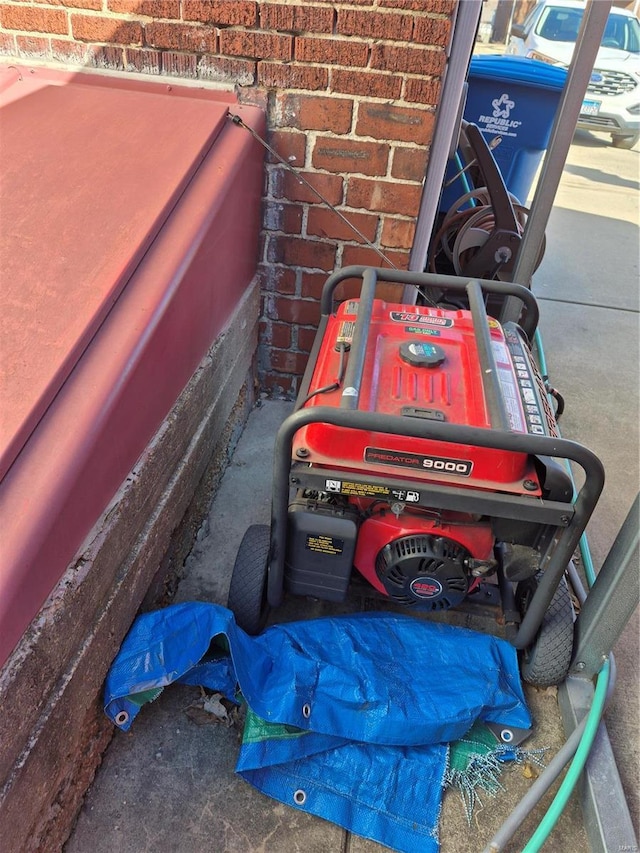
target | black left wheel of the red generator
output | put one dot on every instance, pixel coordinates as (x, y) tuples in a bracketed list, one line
[(248, 590)]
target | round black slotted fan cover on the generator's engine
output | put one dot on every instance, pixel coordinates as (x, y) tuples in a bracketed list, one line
[(424, 571)]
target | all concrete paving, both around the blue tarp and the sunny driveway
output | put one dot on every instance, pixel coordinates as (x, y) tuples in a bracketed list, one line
[(169, 783)]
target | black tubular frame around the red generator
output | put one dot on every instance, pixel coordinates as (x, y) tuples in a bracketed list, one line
[(569, 518)]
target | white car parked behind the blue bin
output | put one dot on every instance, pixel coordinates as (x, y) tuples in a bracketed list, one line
[(612, 99)]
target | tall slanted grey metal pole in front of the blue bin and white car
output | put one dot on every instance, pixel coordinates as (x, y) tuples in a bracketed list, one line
[(584, 56)]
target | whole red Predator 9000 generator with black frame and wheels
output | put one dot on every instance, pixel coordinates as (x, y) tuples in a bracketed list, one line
[(423, 452)]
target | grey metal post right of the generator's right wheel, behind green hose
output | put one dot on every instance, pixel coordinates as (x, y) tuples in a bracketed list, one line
[(611, 600)]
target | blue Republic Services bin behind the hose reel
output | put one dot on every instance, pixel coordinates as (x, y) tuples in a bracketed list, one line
[(517, 99)]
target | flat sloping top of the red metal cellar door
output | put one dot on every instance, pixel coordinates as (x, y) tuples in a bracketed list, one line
[(87, 182)]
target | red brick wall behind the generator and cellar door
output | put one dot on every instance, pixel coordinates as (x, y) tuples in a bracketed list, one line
[(350, 91)]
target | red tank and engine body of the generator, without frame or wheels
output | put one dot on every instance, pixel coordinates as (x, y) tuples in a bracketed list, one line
[(368, 504)]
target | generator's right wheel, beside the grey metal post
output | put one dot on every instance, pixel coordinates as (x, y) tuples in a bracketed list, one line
[(546, 661)]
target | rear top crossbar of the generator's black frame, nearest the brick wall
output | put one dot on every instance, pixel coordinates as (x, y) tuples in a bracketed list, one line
[(447, 282)]
